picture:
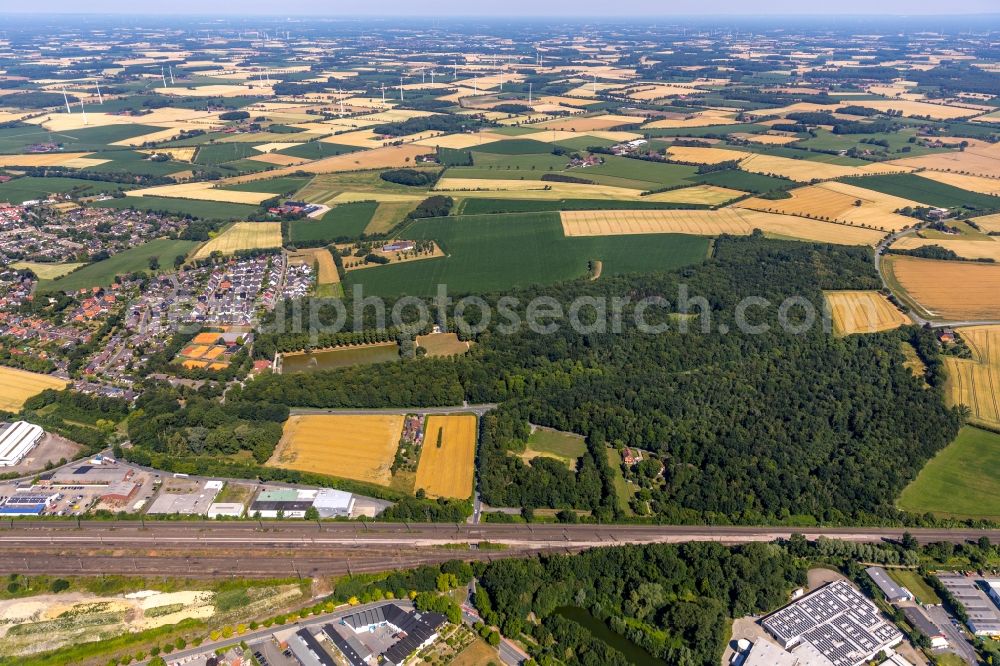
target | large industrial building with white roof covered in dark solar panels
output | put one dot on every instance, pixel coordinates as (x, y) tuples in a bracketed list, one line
[(839, 622)]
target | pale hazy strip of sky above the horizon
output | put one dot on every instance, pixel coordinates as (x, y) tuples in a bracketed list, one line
[(507, 8)]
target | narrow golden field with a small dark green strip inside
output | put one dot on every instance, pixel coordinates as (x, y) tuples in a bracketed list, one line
[(447, 471)]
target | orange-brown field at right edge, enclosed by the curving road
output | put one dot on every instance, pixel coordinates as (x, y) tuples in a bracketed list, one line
[(951, 290)]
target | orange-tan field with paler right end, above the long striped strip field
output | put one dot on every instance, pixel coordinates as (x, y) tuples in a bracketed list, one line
[(838, 202)]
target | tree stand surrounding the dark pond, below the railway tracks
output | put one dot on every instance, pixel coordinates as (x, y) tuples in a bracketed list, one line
[(673, 601)]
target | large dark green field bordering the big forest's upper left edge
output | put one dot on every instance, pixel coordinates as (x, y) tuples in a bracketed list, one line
[(502, 252)]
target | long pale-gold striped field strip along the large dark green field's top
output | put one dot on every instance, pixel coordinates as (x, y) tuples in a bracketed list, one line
[(710, 223)]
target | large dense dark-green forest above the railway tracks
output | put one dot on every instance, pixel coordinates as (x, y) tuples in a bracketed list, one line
[(774, 426)]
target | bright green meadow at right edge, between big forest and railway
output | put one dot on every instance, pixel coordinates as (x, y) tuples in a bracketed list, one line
[(961, 481)]
